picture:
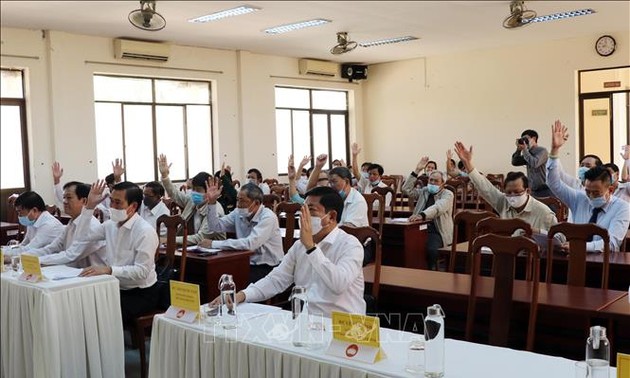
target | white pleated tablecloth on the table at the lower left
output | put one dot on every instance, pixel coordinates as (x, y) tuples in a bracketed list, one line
[(65, 328)]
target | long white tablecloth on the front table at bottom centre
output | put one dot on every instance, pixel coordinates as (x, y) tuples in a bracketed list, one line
[(255, 349)]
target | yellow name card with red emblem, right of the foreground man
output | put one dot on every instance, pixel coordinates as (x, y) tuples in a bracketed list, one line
[(356, 337)]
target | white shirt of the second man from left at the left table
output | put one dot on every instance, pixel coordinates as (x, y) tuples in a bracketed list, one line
[(66, 249)]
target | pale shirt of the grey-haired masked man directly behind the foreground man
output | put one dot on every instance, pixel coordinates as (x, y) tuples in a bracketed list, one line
[(261, 234)]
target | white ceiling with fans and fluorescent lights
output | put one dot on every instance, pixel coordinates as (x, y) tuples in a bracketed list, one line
[(442, 26)]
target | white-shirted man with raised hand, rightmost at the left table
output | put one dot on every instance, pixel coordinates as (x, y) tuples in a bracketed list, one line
[(131, 244)]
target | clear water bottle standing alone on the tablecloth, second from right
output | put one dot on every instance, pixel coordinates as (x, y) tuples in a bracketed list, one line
[(434, 342)]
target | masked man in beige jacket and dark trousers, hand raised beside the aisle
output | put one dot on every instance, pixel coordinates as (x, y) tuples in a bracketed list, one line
[(435, 204)]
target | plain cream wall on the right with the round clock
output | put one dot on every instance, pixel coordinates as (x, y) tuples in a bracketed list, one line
[(485, 98)]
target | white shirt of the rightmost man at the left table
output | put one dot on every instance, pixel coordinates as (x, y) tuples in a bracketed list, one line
[(130, 248)]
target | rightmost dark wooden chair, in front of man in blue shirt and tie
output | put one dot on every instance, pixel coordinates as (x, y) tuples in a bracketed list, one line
[(577, 235)]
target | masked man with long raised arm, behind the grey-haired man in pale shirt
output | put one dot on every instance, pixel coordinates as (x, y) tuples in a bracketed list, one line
[(195, 211)]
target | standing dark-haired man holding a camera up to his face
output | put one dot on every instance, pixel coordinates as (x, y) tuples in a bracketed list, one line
[(534, 157)]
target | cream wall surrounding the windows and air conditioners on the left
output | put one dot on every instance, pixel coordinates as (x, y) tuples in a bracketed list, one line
[(61, 101)]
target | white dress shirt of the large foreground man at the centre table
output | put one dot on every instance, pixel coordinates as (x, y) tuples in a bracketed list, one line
[(332, 274)]
